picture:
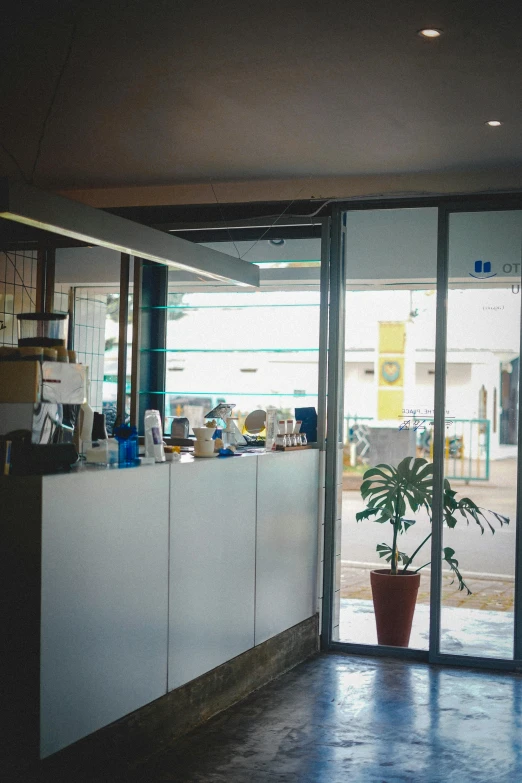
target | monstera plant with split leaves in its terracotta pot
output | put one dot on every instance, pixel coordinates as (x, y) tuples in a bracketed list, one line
[(390, 493)]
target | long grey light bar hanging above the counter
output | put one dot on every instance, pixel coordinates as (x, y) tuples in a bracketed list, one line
[(26, 204)]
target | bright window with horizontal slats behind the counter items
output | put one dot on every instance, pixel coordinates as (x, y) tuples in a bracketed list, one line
[(256, 349)]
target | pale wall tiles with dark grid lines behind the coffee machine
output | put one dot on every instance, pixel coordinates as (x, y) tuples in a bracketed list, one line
[(18, 295)]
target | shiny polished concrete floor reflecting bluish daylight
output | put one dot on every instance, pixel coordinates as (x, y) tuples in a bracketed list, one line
[(343, 719)]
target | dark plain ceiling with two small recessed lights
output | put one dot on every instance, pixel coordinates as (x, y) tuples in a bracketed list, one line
[(160, 91)]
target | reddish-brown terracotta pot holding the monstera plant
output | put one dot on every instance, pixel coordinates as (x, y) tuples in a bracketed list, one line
[(394, 598)]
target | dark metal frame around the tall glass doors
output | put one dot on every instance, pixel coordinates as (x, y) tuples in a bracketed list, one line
[(334, 441)]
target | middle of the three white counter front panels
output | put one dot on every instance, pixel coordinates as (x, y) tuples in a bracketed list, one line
[(212, 565)]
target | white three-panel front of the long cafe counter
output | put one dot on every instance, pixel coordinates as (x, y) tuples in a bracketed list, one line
[(153, 576)]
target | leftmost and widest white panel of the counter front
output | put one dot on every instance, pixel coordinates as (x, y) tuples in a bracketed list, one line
[(104, 599)]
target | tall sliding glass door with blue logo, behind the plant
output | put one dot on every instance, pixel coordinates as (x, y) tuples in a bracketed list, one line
[(429, 320)]
